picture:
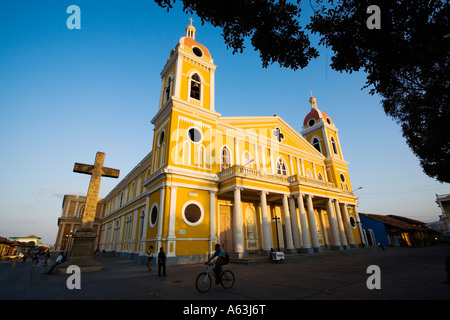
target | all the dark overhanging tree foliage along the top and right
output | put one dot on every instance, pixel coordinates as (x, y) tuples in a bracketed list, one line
[(406, 60)]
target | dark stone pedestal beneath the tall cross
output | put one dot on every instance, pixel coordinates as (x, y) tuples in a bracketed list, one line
[(82, 253)]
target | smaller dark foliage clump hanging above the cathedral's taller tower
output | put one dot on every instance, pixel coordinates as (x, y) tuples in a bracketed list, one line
[(272, 27)]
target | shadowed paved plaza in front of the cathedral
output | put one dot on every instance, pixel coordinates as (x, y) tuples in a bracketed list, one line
[(406, 274)]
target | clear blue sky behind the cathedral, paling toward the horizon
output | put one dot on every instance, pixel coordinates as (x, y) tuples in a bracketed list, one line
[(66, 94)]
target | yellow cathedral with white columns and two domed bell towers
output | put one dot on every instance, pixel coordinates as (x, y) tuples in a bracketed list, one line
[(251, 184)]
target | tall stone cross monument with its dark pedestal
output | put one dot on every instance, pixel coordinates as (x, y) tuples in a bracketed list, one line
[(84, 238)]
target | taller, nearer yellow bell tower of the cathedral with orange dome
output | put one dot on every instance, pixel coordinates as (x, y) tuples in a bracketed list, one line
[(183, 125)]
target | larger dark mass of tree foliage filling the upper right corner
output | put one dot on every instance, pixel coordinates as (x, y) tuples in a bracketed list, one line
[(407, 64)]
